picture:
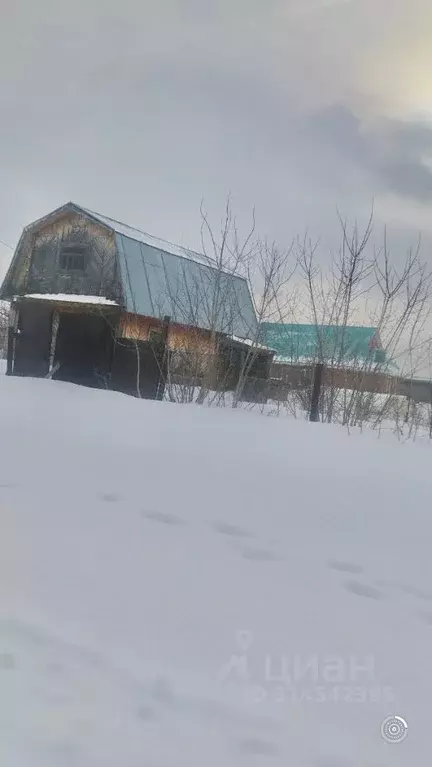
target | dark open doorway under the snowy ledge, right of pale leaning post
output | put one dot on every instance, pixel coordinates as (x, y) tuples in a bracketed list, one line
[(84, 349)]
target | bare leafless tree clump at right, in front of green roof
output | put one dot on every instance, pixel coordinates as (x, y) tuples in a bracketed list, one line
[(341, 296)]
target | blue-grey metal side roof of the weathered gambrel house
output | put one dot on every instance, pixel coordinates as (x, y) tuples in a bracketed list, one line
[(162, 279)]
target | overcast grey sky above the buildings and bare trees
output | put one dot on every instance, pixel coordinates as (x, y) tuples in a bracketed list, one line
[(140, 109)]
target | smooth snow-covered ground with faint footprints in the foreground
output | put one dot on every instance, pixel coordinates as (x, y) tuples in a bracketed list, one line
[(197, 586)]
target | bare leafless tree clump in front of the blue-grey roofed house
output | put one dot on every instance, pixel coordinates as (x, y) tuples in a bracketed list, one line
[(224, 341)]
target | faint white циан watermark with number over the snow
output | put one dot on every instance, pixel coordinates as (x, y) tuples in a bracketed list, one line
[(296, 678)]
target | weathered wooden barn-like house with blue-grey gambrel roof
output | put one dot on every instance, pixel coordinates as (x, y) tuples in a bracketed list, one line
[(96, 302)]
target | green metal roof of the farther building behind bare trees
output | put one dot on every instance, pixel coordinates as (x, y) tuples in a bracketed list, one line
[(328, 343)]
